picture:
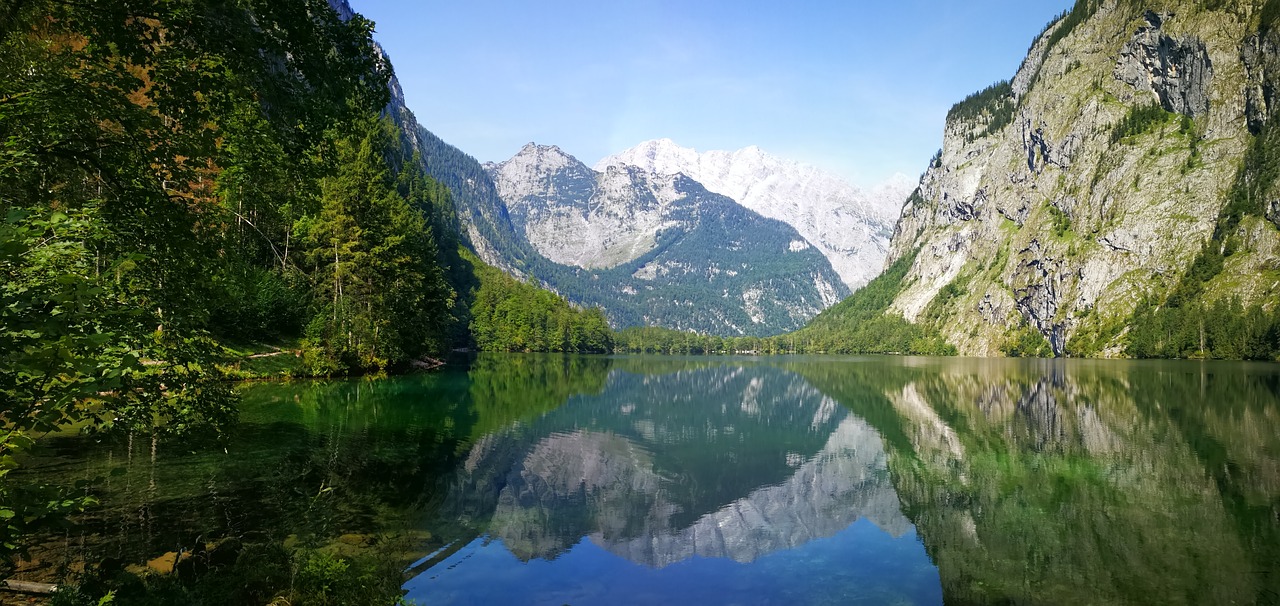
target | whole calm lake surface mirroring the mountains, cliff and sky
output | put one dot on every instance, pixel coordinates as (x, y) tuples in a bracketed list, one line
[(578, 480)]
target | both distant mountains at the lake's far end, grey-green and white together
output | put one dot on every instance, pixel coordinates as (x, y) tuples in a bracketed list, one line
[(647, 240)]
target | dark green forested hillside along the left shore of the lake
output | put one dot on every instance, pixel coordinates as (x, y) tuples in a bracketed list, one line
[(179, 176)]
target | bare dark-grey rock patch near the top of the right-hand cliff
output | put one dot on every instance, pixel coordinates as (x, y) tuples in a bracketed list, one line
[(1177, 70)]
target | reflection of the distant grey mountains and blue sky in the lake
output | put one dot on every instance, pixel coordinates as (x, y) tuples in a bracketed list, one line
[(724, 462)]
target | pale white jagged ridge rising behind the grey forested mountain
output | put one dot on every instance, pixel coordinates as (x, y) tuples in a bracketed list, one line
[(848, 226)]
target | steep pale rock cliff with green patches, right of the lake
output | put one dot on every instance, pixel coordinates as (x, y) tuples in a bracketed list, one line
[(1066, 199)]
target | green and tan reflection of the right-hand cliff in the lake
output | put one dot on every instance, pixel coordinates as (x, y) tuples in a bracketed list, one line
[(1060, 482)]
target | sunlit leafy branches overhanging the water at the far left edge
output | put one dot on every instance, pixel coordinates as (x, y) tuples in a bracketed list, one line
[(76, 350)]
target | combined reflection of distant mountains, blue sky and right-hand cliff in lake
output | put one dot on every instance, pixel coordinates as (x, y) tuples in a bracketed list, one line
[(1041, 481)]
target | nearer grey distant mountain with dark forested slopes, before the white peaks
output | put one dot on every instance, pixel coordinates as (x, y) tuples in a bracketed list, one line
[(650, 249)]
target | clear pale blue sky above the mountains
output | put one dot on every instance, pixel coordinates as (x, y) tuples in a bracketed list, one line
[(861, 89)]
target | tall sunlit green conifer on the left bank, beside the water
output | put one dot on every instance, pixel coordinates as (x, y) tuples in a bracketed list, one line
[(381, 295)]
